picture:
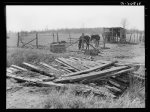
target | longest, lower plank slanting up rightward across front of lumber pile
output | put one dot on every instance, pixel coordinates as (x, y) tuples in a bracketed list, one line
[(90, 75)]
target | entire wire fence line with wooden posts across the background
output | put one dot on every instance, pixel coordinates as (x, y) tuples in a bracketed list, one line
[(45, 39)]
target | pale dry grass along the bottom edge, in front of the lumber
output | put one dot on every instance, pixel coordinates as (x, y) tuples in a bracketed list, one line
[(67, 99)]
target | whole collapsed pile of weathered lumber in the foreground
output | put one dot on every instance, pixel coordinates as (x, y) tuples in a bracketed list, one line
[(110, 74)]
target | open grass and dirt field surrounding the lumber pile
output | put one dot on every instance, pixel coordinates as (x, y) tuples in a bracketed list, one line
[(22, 95)]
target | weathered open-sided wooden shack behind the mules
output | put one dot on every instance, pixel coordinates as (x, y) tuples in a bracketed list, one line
[(115, 34)]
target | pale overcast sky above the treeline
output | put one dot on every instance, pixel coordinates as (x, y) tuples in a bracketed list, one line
[(29, 18)]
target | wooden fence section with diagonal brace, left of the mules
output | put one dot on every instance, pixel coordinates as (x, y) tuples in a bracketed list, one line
[(41, 39)]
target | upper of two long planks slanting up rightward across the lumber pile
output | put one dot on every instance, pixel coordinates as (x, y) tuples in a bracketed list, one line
[(91, 69)]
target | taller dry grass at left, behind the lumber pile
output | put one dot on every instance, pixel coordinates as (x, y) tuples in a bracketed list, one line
[(17, 56)]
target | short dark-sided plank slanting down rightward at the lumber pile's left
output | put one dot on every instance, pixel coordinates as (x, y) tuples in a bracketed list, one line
[(37, 69)]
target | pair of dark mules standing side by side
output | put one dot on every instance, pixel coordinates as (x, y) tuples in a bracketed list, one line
[(86, 39)]
